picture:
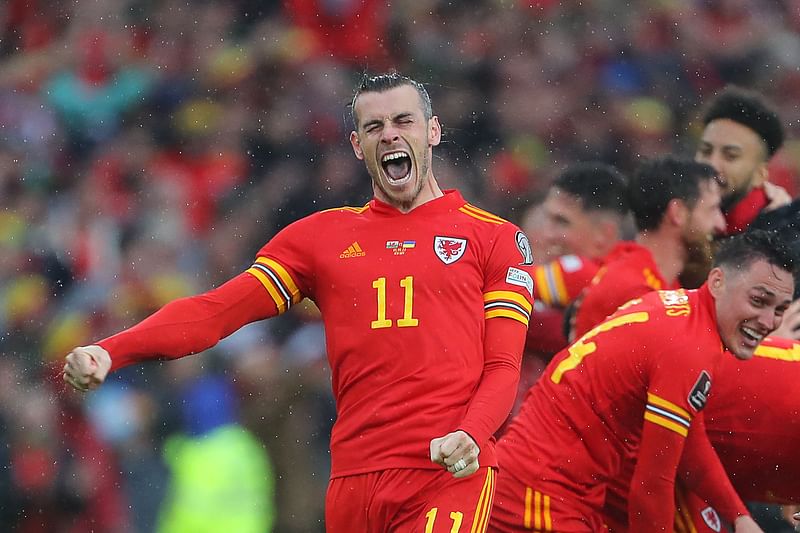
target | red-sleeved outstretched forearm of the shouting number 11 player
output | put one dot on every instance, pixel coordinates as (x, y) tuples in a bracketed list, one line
[(191, 325)]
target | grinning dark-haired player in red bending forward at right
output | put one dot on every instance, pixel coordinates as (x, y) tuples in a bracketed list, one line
[(632, 389)]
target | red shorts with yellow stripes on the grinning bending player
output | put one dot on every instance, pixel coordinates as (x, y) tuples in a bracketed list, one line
[(518, 507)]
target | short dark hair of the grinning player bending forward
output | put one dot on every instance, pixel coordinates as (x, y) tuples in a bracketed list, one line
[(741, 250)]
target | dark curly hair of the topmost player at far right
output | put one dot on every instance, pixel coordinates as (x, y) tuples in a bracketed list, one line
[(749, 109)]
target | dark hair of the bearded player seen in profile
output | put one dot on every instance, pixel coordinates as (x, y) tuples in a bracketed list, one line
[(659, 180)]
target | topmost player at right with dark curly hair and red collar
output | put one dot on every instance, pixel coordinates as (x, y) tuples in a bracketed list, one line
[(741, 134)]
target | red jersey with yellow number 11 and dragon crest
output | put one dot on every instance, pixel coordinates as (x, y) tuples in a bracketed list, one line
[(404, 299)]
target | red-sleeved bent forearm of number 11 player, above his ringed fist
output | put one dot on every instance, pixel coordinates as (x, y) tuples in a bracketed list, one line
[(497, 390)]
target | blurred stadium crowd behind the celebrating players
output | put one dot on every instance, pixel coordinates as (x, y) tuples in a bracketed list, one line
[(149, 148)]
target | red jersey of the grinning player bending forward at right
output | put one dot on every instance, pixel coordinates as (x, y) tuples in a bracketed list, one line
[(625, 388)]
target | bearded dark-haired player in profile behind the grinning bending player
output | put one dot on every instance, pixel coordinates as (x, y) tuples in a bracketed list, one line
[(676, 207)]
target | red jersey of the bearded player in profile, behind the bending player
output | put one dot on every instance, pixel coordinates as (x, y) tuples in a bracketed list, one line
[(627, 272)]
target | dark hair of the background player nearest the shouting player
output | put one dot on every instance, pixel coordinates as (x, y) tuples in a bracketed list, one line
[(598, 186)]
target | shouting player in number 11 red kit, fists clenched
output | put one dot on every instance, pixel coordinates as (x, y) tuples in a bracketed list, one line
[(425, 300)]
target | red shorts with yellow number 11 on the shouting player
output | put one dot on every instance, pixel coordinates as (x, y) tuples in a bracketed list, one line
[(410, 500)]
